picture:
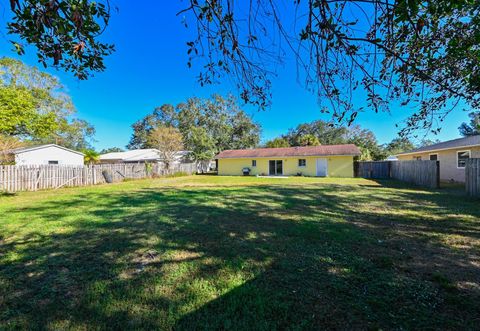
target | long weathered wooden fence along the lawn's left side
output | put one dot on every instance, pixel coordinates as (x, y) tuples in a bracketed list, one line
[(33, 178)]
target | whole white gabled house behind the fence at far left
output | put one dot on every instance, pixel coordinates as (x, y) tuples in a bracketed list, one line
[(47, 154)]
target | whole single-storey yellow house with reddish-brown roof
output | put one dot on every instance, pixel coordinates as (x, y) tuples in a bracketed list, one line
[(315, 161)]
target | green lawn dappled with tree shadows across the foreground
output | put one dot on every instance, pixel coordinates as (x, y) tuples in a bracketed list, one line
[(207, 252)]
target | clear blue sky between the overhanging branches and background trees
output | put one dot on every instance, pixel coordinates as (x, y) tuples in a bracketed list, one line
[(149, 69)]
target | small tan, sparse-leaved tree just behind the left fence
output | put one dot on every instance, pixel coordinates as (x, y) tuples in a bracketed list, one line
[(168, 141)]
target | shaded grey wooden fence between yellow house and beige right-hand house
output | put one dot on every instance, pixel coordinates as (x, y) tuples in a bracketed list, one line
[(424, 173)]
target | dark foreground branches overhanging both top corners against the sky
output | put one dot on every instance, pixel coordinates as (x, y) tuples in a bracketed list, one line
[(421, 55)]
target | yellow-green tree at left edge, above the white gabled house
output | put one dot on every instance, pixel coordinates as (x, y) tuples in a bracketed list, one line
[(35, 107)]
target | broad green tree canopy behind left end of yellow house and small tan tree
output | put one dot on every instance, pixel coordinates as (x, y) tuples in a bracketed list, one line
[(207, 126)]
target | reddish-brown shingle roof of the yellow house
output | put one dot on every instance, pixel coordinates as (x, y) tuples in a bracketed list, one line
[(323, 150)]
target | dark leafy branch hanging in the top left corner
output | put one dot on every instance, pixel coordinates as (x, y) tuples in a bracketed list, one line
[(65, 32)]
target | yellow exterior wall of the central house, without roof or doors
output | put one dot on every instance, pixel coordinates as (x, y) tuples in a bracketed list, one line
[(338, 166)]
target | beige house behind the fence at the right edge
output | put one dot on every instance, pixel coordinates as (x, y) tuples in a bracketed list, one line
[(451, 154)]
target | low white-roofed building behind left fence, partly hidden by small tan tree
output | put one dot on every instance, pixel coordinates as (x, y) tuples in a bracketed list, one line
[(150, 155)]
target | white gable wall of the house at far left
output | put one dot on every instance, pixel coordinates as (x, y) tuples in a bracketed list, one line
[(41, 156)]
